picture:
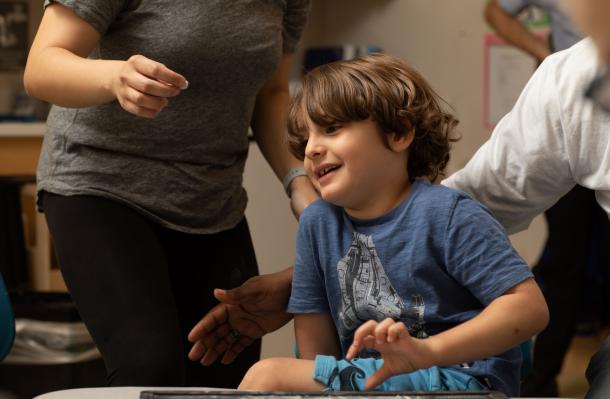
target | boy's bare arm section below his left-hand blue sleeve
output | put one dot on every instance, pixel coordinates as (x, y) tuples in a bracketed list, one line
[(316, 335)]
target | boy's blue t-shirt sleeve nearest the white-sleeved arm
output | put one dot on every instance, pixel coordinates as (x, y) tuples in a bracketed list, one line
[(478, 253)]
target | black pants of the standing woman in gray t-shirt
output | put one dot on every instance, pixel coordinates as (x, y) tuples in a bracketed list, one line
[(140, 288)]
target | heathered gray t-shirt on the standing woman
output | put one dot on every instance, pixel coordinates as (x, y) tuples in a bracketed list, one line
[(184, 168)]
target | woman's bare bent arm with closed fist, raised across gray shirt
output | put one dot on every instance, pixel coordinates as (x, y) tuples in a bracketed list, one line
[(58, 70)]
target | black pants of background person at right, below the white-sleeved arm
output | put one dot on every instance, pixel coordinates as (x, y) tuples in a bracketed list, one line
[(574, 222)]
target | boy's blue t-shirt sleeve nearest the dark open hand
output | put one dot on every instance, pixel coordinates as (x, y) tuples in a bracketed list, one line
[(308, 293)]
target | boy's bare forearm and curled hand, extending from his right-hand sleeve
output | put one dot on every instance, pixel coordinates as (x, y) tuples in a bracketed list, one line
[(510, 319)]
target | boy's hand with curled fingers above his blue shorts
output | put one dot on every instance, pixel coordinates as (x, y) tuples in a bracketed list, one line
[(401, 353)]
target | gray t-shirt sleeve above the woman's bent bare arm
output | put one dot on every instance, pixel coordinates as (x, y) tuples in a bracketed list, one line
[(100, 14)]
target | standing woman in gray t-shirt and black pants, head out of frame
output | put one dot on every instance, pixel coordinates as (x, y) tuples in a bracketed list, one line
[(140, 175)]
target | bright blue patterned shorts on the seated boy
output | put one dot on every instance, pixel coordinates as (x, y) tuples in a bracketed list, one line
[(343, 375)]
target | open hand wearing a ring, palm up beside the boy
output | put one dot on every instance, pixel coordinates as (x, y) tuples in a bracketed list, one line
[(245, 314)]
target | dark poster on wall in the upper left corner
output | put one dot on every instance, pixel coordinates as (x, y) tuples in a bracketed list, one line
[(13, 35)]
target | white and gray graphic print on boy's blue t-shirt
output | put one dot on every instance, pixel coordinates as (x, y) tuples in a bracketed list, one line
[(367, 293)]
